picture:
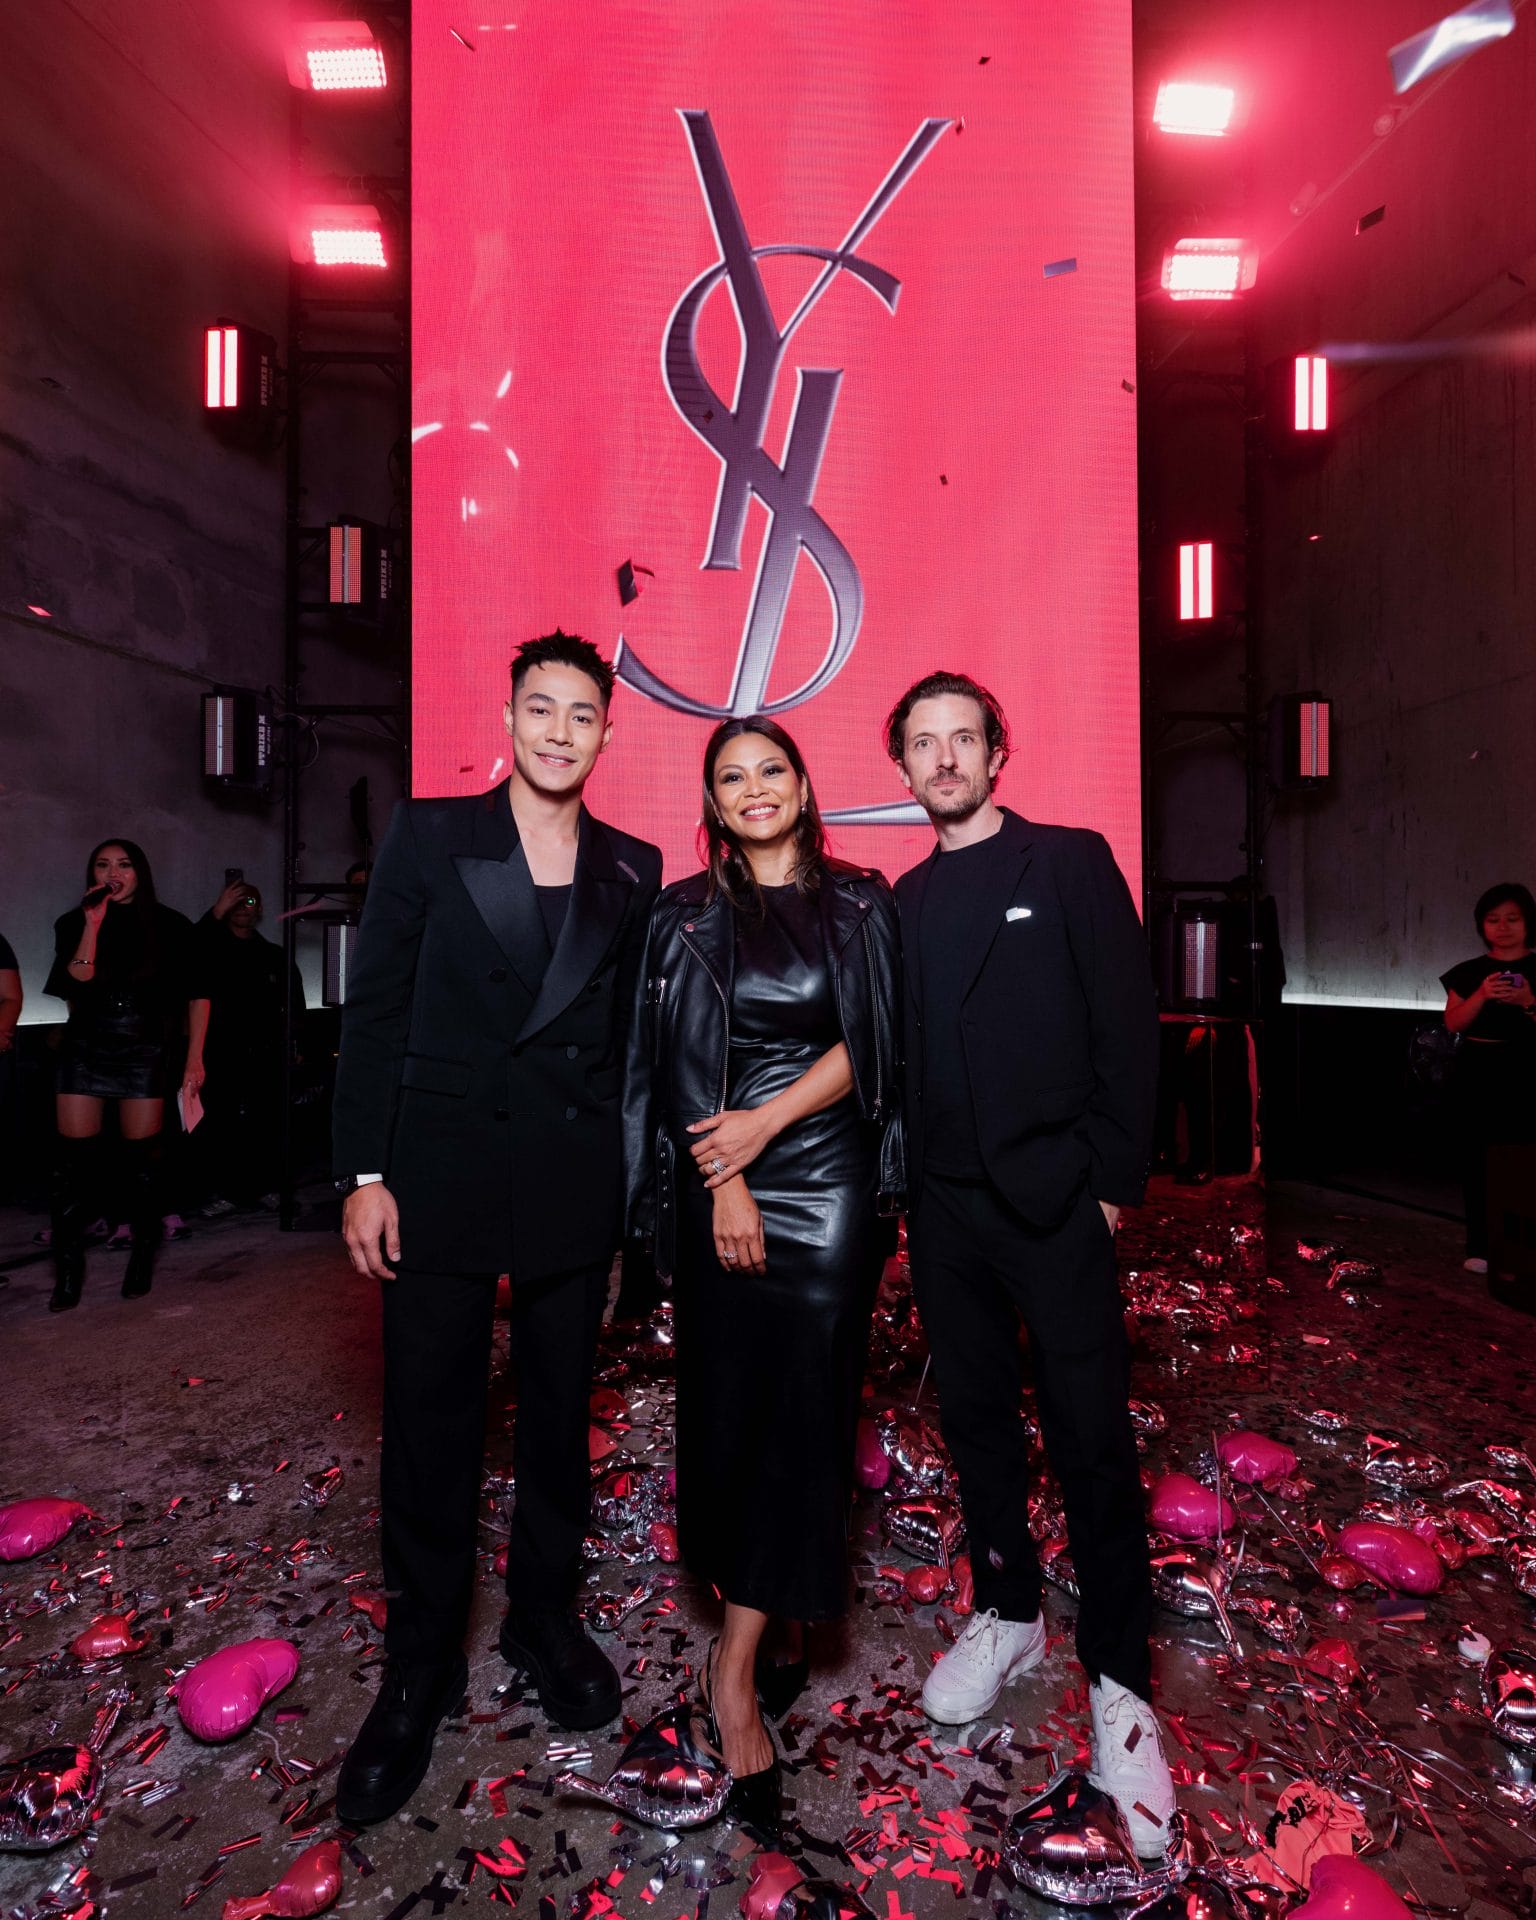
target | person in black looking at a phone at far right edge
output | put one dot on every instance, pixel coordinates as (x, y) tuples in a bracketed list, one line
[(1493, 1005)]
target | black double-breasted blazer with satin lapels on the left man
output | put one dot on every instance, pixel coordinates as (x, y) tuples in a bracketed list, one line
[(487, 1099)]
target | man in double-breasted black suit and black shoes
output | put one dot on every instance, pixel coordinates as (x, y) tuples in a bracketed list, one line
[(477, 1132)]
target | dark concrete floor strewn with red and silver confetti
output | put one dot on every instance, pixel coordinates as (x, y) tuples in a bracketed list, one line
[(226, 1431)]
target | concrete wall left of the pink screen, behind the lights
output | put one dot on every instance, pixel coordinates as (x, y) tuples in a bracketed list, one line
[(145, 153)]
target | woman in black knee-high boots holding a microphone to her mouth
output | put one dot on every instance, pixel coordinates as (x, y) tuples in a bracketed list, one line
[(124, 963)]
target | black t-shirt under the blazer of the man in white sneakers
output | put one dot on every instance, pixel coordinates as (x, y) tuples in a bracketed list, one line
[(955, 884)]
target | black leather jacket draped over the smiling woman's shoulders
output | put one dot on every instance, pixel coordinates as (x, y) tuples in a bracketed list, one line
[(681, 1036)]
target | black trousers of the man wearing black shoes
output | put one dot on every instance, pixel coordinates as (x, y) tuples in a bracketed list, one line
[(437, 1374)]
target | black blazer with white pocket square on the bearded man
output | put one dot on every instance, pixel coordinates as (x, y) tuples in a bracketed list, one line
[(1059, 1024)]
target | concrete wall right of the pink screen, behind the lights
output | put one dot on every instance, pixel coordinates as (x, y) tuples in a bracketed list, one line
[(1412, 608)]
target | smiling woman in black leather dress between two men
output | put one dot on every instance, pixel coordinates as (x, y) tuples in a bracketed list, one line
[(763, 1147)]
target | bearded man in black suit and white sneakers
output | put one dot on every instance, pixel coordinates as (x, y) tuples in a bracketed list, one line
[(1032, 1055)]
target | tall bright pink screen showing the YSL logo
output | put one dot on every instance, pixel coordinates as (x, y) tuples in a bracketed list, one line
[(819, 318)]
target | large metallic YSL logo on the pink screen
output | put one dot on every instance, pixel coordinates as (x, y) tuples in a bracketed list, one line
[(734, 433)]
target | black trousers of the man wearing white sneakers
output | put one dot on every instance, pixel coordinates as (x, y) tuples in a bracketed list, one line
[(978, 1268)]
